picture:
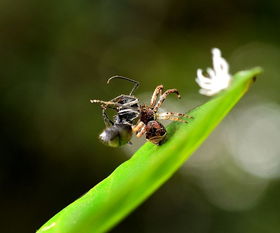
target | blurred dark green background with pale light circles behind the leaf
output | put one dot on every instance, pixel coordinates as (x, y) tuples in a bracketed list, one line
[(56, 55)]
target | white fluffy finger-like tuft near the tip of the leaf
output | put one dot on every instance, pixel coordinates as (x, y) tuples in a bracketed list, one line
[(217, 79)]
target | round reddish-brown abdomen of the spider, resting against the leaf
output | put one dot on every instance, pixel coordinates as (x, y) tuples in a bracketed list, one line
[(155, 132)]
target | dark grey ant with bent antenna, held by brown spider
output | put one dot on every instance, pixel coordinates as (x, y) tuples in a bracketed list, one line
[(119, 130)]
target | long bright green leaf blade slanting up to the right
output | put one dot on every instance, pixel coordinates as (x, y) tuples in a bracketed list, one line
[(136, 179)]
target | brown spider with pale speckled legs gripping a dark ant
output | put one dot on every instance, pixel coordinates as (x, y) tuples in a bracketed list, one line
[(148, 123)]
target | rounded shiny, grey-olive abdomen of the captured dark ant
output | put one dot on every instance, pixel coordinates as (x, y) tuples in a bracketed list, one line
[(117, 135)]
